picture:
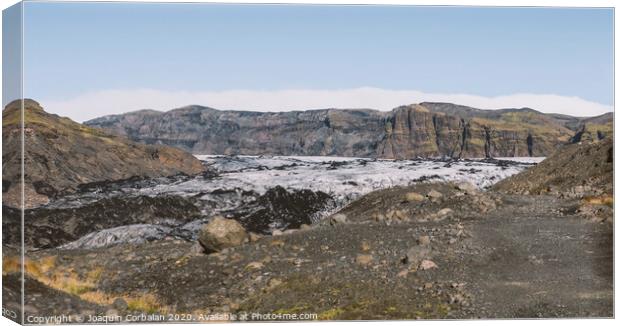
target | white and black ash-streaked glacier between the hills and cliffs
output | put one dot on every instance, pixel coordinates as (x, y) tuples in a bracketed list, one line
[(265, 194)]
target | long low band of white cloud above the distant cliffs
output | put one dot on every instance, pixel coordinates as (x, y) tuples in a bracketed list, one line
[(91, 105)]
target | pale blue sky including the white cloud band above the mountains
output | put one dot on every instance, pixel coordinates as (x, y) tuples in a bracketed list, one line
[(85, 60)]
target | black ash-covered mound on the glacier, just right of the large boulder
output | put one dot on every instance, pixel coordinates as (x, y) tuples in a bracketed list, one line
[(281, 209)]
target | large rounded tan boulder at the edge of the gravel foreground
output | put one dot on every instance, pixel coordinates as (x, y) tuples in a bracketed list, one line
[(221, 233)]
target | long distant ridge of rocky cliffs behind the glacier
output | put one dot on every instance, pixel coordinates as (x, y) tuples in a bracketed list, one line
[(426, 129)]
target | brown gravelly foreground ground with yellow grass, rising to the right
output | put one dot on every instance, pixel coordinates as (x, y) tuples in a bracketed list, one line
[(429, 250)]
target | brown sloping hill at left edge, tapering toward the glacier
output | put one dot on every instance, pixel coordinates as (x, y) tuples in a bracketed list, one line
[(61, 154)]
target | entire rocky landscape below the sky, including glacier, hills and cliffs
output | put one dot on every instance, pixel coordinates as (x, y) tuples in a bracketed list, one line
[(125, 232)]
